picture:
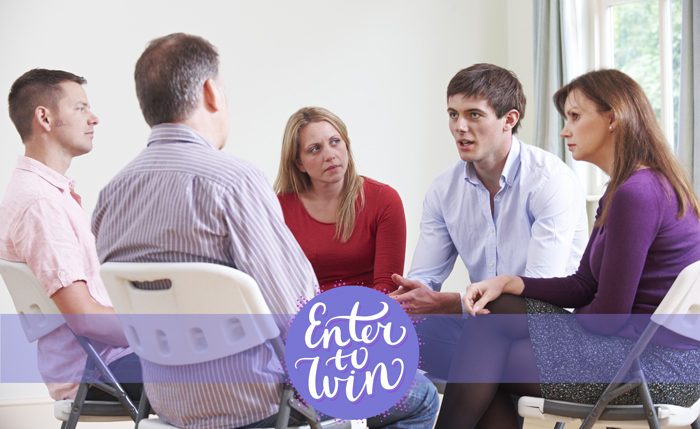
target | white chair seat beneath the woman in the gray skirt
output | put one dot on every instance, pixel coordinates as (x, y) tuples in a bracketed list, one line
[(627, 416)]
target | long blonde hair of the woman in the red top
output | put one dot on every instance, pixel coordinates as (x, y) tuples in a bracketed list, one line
[(291, 179)]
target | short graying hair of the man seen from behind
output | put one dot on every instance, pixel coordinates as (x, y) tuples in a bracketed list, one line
[(169, 76)]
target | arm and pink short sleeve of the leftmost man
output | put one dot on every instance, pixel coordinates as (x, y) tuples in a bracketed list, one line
[(45, 239)]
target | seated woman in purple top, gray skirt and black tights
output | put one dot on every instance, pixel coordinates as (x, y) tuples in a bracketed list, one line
[(646, 231)]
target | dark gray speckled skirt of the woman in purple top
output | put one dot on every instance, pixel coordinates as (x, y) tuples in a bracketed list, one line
[(564, 350)]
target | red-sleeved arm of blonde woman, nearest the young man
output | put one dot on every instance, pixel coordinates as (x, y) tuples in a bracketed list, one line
[(390, 249)]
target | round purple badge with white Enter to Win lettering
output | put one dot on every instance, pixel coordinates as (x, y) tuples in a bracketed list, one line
[(352, 352)]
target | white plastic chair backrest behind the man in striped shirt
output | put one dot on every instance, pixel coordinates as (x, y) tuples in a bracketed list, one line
[(209, 311)]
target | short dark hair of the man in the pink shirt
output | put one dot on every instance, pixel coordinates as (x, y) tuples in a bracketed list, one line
[(37, 87)]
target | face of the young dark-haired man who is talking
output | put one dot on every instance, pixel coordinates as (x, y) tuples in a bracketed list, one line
[(479, 134)]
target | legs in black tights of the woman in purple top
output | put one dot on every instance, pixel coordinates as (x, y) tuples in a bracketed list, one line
[(494, 358)]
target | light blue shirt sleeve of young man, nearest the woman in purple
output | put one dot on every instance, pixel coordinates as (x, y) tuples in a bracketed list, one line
[(557, 210)]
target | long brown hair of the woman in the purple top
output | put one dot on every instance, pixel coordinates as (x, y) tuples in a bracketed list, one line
[(639, 141)]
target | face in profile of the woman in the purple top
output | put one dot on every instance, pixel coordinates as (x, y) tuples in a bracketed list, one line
[(587, 132)]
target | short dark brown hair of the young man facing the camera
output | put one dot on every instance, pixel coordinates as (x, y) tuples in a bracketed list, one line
[(500, 87)]
